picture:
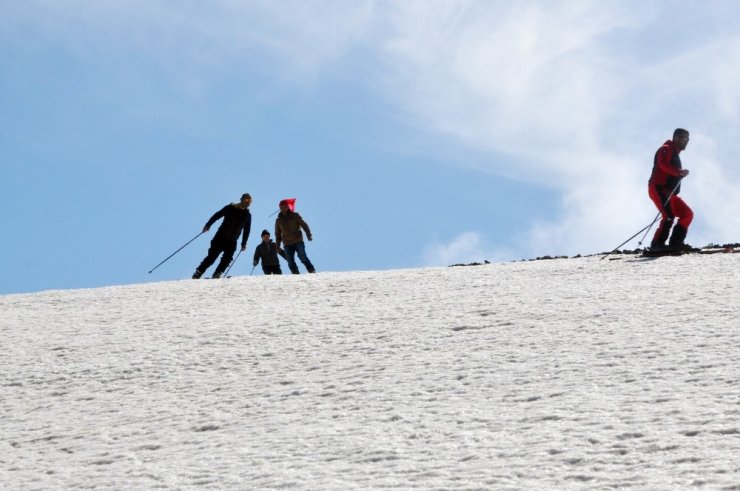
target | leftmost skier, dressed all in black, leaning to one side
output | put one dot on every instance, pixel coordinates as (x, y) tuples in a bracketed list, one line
[(236, 220)]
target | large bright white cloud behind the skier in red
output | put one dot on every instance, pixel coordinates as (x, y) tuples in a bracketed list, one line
[(579, 96)]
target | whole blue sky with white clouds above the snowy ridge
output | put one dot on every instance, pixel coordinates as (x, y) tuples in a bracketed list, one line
[(412, 133)]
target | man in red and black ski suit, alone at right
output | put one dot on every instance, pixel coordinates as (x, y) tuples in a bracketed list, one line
[(663, 188)]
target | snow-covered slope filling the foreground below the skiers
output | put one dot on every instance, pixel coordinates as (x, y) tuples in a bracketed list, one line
[(561, 374)]
